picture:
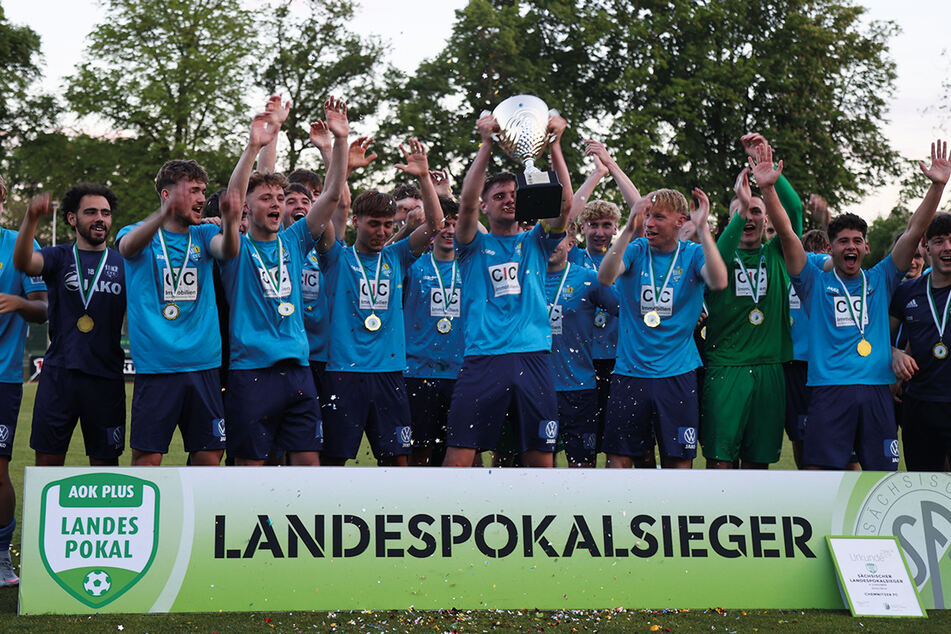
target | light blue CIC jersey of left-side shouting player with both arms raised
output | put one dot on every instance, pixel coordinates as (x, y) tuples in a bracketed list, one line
[(261, 331)]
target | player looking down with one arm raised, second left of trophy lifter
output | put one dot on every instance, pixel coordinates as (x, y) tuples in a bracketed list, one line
[(367, 349)]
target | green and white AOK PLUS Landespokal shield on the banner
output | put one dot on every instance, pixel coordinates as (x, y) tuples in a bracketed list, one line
[(98, 534)]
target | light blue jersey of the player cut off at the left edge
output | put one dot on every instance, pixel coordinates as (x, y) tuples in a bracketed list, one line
[(12, 326)]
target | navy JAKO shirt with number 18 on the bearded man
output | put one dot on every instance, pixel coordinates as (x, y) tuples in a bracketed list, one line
[(97, 352)]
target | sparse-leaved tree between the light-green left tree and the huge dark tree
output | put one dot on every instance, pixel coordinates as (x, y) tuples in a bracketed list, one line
[(313, 56)]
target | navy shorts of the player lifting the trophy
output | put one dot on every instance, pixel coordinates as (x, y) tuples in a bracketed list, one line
[(487, 385)]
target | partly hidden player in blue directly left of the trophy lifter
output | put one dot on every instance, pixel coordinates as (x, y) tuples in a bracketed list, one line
[(432, 295)]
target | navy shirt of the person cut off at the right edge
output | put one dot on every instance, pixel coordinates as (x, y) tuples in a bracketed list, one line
[(910, 306)]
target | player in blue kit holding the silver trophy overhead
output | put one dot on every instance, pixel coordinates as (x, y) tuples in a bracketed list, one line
[(508, 333)]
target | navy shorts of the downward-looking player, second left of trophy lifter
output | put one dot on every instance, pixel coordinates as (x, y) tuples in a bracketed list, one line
[(374, 402)]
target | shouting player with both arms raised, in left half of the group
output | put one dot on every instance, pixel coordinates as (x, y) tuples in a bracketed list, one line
[(271, 399)]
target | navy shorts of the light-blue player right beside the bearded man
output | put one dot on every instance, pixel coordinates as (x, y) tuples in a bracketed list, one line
[(190, 401)]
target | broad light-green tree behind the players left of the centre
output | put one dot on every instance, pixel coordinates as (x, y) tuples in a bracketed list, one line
[(171, 72)]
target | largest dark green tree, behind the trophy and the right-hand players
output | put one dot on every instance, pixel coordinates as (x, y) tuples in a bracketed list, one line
[(671, 85)]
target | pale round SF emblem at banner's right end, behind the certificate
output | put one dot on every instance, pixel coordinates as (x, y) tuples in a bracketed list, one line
[(915, 508)]
